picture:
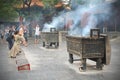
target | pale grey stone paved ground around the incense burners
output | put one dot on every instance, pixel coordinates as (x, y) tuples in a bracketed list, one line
[(52, 64)]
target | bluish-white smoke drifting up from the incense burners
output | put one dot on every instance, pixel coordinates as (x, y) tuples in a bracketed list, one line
[(82, 19)]
